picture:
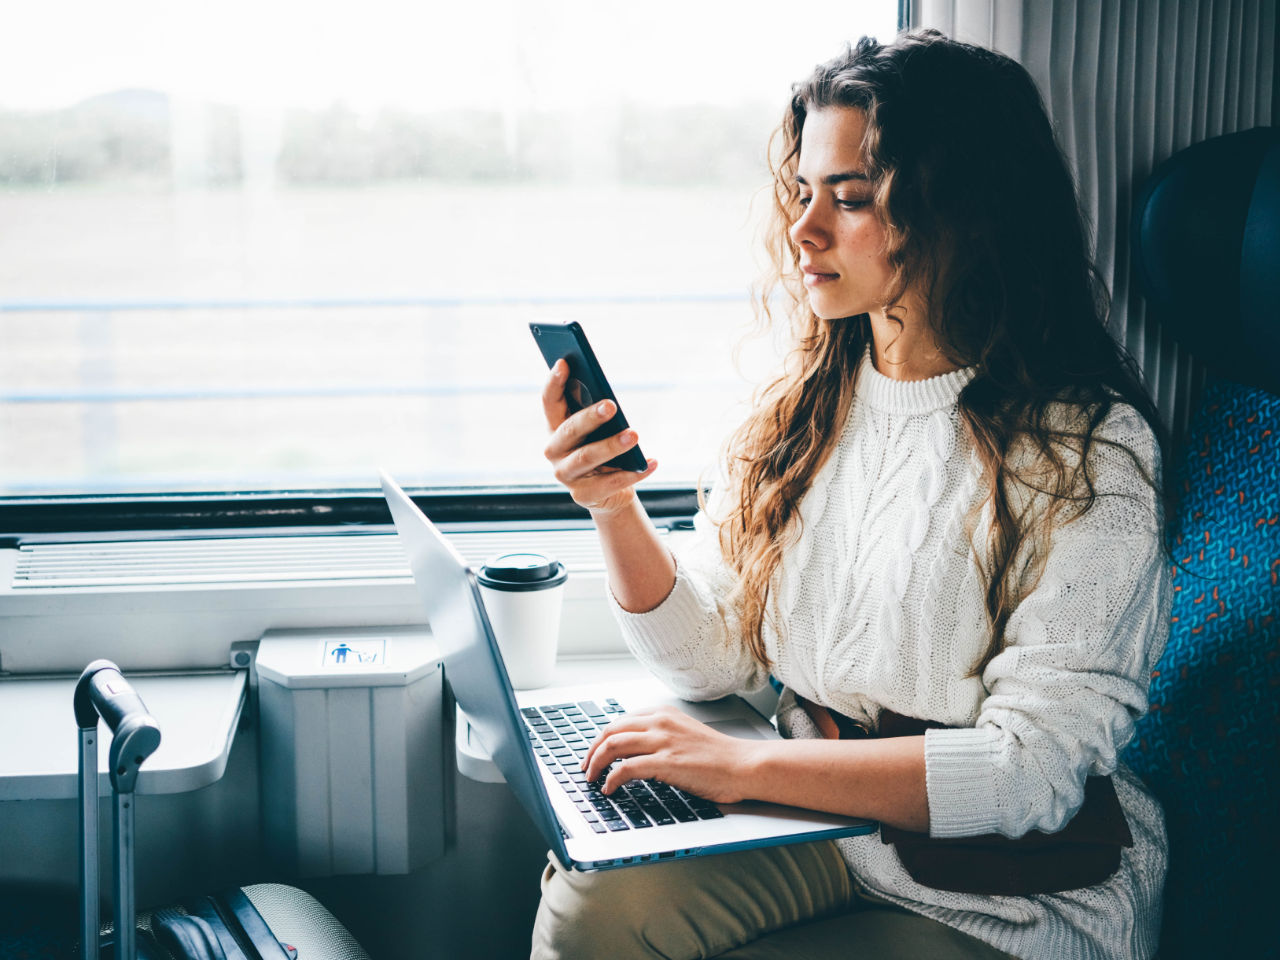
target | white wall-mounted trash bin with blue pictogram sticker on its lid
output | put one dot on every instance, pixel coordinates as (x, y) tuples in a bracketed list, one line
[(353, 749)]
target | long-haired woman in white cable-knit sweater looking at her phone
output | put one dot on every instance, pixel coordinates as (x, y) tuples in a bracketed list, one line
[(947, 509)]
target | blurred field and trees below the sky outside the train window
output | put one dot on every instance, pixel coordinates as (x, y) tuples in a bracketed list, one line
[(195, 298)]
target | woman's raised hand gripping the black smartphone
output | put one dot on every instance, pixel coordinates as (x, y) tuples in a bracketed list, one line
[(582, 465)]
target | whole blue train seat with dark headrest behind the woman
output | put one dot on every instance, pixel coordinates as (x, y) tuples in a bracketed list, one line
[(1206, 240)]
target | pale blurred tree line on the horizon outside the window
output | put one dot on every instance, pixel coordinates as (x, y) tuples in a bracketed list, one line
[(143, 139)]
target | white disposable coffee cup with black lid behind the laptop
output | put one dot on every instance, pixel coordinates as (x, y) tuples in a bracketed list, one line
[(523, 595)]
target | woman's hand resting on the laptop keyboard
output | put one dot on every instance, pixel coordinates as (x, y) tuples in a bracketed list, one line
[(669, 746)]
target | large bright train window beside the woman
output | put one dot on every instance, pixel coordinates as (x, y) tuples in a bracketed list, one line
[(272, 246)]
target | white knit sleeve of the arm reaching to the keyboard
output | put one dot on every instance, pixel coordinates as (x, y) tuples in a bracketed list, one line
[(1073, 678)]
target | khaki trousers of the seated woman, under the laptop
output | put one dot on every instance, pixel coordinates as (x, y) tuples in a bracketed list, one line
[(785, 902)]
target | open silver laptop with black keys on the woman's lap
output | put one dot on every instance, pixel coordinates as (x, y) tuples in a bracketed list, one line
[(538, 739)]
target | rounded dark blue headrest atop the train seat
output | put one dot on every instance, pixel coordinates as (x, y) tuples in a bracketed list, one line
[(1208, 253)]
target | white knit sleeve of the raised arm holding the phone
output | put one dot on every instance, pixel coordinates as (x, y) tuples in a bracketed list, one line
[(692, 641)]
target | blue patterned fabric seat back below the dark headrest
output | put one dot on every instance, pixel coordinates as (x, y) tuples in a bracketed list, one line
[(1210, 747)]
